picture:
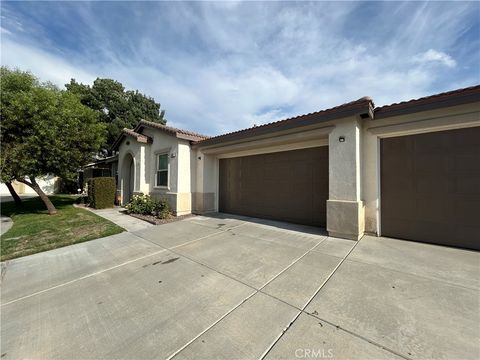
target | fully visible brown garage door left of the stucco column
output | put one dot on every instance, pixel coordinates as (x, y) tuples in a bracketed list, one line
[(289, 186)]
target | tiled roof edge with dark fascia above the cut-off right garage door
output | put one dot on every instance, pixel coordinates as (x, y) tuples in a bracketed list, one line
[(446, 99)]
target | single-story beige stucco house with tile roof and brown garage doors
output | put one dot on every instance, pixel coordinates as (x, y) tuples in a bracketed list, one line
[(409, 170)]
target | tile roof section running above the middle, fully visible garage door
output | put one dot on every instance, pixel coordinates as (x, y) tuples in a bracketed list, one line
[(362, 103)]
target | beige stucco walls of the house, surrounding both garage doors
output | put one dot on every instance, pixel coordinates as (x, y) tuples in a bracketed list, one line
[(354, 203)]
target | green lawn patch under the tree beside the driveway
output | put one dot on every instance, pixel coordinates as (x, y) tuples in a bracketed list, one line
[(34, 230)]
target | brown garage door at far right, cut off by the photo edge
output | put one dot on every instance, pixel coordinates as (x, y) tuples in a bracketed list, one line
[(430, 187)]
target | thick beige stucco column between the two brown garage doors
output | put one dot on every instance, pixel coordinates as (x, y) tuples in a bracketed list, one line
[(345, 210)]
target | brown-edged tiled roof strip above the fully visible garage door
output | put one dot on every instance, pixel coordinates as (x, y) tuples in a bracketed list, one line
[(363, 106)]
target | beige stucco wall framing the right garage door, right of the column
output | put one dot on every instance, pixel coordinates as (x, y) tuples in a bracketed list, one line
[(420, 122)]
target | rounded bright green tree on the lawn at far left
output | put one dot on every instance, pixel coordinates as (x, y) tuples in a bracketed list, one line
[(43, 131)]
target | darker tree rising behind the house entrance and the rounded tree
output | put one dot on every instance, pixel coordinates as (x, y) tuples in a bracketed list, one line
[(116, 107)]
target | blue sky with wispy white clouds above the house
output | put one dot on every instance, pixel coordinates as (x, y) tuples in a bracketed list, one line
[(217, 67)]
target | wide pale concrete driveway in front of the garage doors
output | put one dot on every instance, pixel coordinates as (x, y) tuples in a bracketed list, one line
[(237, 288)]
